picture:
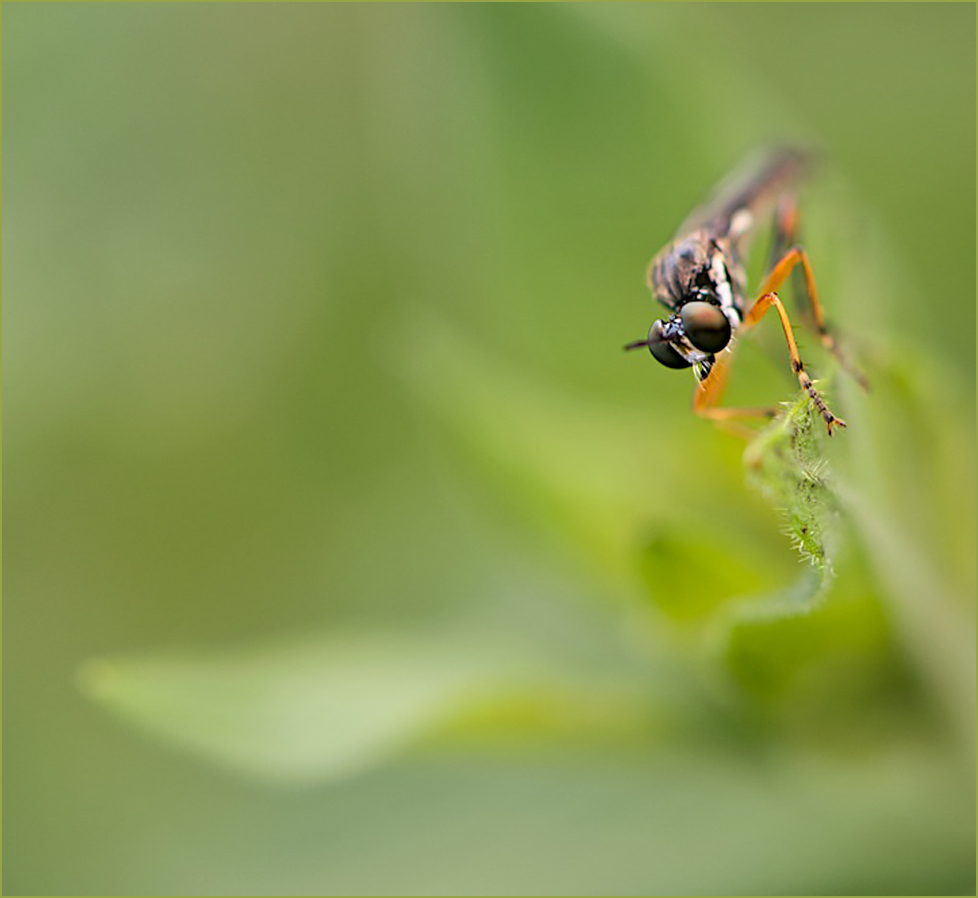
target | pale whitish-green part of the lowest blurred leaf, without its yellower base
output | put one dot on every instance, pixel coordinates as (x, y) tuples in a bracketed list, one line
[(297, 711)]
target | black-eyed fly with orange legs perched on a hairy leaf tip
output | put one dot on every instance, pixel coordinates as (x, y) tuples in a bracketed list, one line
[(700, 278)]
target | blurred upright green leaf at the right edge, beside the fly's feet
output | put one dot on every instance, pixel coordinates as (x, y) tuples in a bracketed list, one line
[(907, 483)]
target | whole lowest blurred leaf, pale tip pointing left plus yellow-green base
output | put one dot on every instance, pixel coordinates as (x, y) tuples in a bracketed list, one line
[(323, 709)]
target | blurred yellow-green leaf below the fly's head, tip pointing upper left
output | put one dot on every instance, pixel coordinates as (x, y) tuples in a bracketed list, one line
[(586, 470)]
